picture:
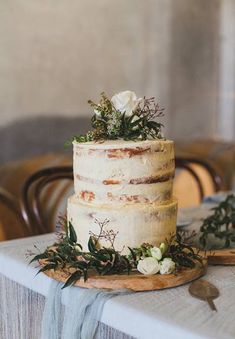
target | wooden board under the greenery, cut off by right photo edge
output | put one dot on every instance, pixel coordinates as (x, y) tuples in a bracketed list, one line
[(220, 257)]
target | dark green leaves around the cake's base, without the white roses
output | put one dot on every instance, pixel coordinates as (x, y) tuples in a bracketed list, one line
[(67, 254)]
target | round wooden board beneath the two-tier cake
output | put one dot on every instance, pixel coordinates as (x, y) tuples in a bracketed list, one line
[(134, 281)]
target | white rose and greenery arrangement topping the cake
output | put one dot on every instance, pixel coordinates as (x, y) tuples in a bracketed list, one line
[(124, 116)]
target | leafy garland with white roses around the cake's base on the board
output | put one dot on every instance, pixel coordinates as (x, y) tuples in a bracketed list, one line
[(170, 257)]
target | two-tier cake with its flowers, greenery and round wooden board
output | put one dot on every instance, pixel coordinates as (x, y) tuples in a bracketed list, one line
[(121, 218)]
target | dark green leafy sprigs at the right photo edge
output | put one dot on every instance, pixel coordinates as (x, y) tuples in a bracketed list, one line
[(221, 224)]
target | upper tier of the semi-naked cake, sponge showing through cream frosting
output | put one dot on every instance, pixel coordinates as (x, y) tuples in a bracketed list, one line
[(124, 172)]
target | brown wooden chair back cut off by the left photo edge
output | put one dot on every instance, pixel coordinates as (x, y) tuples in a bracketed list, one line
[(10, 221)]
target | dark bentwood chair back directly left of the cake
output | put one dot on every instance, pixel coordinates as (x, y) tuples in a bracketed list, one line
[(37, 195)]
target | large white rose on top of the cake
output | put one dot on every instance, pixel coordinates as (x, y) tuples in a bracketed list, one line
[(126, 101)]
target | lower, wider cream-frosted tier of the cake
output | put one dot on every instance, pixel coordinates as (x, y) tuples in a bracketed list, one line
[(126, 226)]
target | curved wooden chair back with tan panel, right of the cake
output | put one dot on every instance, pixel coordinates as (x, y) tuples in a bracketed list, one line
[(206, 180)]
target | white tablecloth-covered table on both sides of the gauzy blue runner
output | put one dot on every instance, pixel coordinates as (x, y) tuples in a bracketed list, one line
[(171, 313)]
